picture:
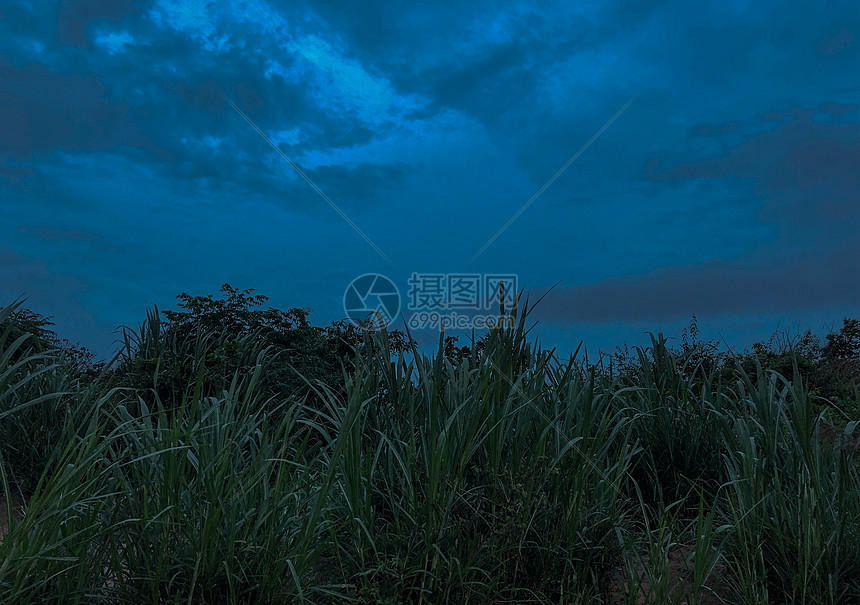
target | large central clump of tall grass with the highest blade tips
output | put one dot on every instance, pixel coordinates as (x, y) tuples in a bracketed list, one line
[(491, 478)]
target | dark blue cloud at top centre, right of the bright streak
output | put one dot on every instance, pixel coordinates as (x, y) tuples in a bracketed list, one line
[(471, 56)]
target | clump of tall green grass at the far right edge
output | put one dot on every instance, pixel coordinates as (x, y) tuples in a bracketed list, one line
[(793, 502)]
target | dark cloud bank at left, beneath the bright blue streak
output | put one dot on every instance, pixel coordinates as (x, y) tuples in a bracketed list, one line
[(189, 135)]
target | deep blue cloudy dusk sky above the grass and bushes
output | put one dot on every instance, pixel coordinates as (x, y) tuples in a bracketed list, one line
[(715, 148)]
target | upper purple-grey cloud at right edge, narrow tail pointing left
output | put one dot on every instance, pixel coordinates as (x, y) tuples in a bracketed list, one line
[(805, 173)]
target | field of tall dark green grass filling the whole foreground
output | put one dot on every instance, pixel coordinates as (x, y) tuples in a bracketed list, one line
[(507, 477)]
